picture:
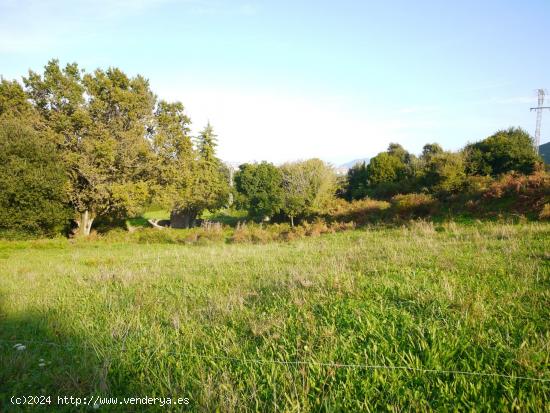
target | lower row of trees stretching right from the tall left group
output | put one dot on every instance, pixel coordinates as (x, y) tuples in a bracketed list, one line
[(307, 188)]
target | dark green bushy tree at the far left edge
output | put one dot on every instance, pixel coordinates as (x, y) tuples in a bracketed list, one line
[(32, 181)]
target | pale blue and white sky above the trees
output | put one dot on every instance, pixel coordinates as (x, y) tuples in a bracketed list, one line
[(282, 80)]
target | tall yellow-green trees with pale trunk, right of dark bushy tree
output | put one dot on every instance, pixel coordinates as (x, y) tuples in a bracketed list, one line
[(121, 149)]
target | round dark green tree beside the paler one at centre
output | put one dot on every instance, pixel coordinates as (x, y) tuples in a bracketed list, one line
[(259, 189)]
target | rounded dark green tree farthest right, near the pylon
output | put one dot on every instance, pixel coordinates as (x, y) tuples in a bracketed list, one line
[(505, 151)]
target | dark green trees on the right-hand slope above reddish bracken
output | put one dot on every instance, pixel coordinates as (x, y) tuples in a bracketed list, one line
[(436, 171)]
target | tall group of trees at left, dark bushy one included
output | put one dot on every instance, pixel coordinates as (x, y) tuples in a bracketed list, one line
[(79, 146)]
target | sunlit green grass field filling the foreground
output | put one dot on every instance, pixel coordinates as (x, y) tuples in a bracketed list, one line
[(284, 326)]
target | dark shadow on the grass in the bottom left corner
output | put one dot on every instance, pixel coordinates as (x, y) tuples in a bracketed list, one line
[(42, 356)]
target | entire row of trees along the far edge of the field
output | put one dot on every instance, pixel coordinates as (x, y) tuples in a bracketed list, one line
[(77, 147)]
